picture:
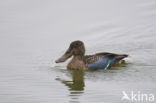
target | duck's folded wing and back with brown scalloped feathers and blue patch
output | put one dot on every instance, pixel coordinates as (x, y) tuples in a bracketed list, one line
[(103, 60)]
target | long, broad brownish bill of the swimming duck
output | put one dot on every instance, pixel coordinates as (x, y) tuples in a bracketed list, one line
[(67, 55)]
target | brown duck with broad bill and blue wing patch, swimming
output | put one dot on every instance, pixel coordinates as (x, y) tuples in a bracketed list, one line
[(80, 61)]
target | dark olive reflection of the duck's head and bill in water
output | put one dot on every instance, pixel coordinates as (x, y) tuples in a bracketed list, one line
[(77, 83)]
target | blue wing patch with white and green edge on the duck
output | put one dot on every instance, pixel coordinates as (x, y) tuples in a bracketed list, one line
[(102, 63)]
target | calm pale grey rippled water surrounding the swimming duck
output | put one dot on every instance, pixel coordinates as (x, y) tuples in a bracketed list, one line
[(33, 34)]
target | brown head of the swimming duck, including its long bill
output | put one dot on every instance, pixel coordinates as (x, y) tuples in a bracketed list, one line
[(76, 48)]
